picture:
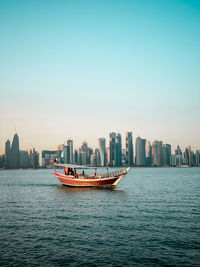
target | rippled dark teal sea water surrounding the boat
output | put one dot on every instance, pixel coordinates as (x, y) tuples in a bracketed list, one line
[(152, 218)]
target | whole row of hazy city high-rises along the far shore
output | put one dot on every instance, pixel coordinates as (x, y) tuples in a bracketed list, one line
[(113, 154)]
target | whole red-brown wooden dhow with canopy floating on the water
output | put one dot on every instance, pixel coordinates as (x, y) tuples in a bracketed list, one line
[(71, 177)]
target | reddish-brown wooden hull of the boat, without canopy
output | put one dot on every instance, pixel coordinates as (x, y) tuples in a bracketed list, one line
[(81, 182)]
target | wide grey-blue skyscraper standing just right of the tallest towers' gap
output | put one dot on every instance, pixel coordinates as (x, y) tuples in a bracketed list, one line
[(140, 151)]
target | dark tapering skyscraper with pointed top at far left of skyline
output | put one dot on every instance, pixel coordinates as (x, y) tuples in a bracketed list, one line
[(14, 153)]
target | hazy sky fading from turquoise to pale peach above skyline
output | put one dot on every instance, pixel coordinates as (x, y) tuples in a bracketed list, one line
[(81, 69)]
